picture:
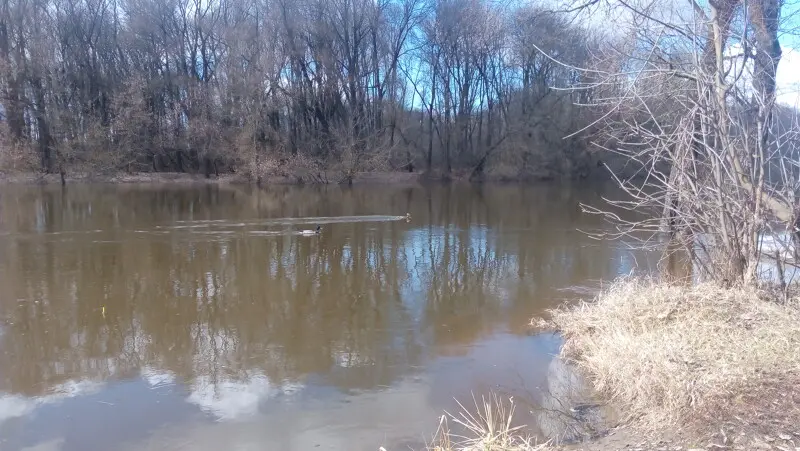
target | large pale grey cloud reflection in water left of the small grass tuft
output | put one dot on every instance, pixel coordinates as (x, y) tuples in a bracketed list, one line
[(399, 416)]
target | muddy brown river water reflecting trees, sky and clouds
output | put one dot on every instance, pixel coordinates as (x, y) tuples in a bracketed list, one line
[(167, 318)]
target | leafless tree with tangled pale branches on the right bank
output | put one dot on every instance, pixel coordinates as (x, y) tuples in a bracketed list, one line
[(716, 170)]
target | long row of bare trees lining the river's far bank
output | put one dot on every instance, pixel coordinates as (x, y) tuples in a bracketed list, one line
[(292, 87)]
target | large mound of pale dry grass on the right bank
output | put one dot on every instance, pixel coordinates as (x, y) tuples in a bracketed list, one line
[(694, 357)]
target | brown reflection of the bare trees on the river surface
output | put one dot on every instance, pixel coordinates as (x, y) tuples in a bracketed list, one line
[(207, 288)]
